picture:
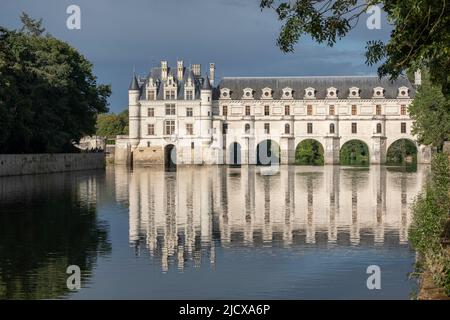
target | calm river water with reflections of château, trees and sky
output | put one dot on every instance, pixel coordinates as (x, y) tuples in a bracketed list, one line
[(209, 232)]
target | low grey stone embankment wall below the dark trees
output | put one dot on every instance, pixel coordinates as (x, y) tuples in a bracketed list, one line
[(21, 164)]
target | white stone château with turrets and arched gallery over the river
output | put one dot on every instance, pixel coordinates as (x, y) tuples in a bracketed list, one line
[(178, 115)]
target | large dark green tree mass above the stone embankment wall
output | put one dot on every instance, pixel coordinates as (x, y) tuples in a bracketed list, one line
[(49, 97)]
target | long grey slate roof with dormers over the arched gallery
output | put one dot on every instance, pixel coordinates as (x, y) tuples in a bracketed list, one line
[(366, 84)]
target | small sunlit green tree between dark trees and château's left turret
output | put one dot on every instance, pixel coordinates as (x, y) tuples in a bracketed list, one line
[(110, 124)]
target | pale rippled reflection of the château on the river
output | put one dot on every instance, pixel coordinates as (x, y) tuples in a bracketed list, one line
[(182, 217)]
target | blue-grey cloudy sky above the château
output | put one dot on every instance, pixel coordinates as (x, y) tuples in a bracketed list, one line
[(117, 36)]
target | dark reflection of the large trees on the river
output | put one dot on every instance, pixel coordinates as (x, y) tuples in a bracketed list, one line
[(48, 222)]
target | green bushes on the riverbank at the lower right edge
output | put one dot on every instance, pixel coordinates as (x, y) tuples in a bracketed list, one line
[(430, 215)]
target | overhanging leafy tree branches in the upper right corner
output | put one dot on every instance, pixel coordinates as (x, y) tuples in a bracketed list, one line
[(419, 38)]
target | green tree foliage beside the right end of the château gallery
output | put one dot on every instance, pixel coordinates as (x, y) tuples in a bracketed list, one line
[(430, 111)]
